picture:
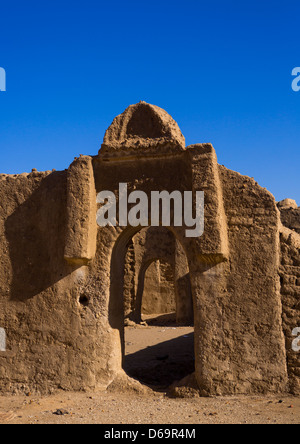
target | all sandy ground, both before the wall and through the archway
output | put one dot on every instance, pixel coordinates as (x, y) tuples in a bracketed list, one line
[(156, 355)]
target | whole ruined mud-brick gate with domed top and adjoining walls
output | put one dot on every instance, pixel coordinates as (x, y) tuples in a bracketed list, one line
[(66, 284)]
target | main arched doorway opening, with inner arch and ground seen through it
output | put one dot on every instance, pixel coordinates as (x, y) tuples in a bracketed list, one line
[(156, 349)]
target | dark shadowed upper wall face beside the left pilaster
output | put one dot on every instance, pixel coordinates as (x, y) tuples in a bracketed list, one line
[(33, 219)]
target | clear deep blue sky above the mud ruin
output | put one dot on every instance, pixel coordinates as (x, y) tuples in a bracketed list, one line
[(221, 68)]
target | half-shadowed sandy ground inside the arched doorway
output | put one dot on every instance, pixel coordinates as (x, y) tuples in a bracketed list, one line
[(159, 354)]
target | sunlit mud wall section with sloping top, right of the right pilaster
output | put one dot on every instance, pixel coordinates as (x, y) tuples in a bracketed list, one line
[(253, 326)]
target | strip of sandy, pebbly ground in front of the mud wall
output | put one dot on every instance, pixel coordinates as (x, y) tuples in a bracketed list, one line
[(113, 408)]
